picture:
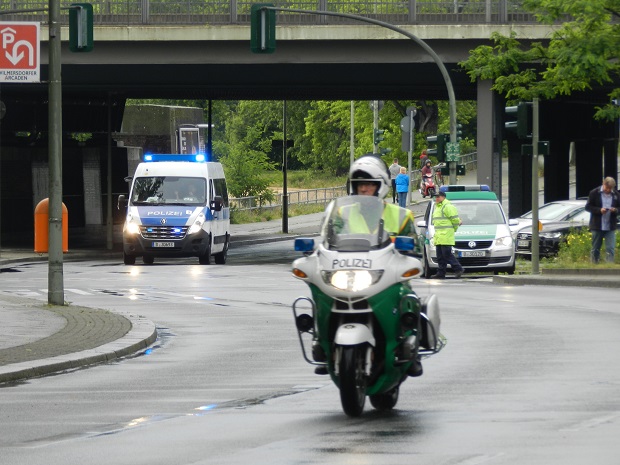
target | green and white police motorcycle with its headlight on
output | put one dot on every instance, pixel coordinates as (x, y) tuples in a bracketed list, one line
[(364, 325)]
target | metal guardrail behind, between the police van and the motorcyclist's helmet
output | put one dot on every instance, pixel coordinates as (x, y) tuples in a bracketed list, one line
[(297, 197)]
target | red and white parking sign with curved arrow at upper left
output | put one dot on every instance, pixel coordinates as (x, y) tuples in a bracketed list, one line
[(19, 52)]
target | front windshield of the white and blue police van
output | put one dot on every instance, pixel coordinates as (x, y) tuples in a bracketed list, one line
[(168, 190)]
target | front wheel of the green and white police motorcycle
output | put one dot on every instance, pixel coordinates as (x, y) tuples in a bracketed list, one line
[(353, 380)]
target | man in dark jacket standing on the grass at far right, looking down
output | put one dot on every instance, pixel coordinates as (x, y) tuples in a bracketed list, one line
[(603, 204)]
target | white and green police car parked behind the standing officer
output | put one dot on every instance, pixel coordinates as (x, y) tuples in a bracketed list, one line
[(483, 242)]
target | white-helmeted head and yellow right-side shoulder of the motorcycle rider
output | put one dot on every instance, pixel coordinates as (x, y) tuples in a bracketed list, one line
[(369, 176)]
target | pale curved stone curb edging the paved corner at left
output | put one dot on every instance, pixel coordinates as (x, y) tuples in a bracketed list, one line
[(142, 334)]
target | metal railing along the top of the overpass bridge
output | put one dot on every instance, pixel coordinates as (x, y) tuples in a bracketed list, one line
[(222, 12)]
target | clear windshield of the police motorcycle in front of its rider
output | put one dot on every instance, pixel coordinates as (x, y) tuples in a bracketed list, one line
[(355, 224)]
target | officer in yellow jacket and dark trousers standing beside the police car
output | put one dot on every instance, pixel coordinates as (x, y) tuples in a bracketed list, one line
[(446, 221)]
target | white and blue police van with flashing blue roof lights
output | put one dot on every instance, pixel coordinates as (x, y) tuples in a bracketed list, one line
[(177, 207)]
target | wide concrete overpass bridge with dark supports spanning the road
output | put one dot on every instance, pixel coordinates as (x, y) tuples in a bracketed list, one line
[(196, 50)]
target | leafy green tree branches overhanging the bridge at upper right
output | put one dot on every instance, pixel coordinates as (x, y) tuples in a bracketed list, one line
[(582, 53)]
